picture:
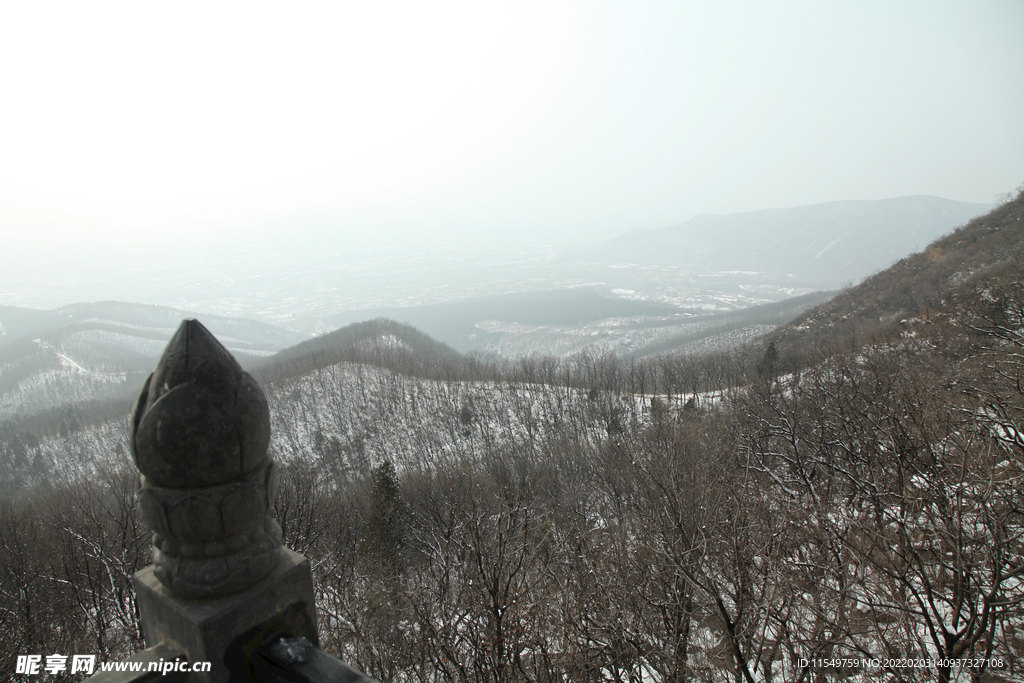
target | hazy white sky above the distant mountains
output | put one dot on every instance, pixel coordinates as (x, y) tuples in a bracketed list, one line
[(121, 119)]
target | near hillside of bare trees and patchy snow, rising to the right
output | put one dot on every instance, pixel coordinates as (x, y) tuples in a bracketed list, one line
[(851, 486)]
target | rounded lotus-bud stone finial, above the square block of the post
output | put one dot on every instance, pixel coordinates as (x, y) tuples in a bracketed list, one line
[(200, 432)]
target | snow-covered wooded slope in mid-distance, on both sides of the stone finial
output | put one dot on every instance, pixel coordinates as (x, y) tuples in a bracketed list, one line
[(348, 418)]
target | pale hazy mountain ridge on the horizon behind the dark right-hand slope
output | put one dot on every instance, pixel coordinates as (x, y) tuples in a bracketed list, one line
[(822, 245)]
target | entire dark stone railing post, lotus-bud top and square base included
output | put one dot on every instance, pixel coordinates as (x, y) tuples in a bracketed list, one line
[(222, 588)]
